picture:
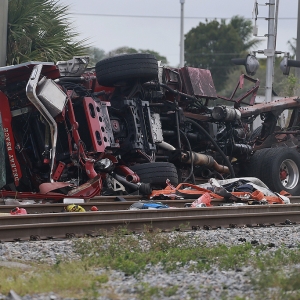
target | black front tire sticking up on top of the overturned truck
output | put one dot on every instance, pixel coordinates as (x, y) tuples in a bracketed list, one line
[(126, 69)]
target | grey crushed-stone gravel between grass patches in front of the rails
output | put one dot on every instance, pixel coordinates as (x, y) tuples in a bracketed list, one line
[(212, 284)]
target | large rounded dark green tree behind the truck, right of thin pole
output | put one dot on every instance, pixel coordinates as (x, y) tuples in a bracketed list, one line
[(212, 45)]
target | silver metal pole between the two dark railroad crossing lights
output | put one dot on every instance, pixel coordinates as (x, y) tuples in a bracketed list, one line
[(270, 51)]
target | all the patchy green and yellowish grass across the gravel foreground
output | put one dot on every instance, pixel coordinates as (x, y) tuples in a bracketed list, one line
[(274, 276)]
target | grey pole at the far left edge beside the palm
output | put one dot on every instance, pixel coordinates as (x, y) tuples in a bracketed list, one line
[(3, 31)]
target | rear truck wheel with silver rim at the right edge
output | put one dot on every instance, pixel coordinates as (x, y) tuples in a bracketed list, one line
[(280, 170)]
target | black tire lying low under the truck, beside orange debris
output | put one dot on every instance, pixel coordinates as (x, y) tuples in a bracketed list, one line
[(156, 173)]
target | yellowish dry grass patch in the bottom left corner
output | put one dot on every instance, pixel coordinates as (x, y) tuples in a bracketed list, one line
[(66, 279)]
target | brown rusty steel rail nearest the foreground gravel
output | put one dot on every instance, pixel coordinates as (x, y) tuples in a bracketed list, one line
[(61, 225)]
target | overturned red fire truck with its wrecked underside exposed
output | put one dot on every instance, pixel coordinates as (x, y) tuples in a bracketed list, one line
[(130, 125)]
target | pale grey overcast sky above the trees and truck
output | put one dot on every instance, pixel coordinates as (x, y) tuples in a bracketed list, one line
[(155, 24)]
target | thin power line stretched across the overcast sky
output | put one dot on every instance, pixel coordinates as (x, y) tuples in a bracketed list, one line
[(162, 17)]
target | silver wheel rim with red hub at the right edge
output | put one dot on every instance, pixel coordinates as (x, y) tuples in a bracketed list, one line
[(289, 174)]
